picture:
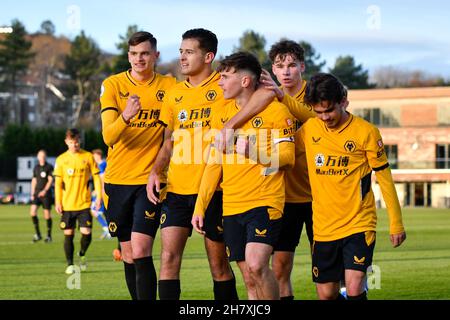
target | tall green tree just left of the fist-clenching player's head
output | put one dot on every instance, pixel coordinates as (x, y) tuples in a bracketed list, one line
[(83, 66)]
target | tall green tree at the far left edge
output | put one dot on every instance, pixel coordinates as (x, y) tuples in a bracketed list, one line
[(15, 57)]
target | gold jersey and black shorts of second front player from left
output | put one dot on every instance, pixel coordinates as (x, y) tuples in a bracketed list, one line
[(187, 112)]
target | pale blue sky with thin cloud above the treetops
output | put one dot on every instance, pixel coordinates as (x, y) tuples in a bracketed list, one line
[(409, 35)]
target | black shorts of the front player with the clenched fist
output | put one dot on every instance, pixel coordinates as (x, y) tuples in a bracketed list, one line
[(129, 210)]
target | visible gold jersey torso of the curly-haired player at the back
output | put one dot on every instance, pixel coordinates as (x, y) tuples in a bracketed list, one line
[(298, 189)]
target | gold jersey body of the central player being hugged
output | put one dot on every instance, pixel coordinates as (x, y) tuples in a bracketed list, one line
[(249, 184)]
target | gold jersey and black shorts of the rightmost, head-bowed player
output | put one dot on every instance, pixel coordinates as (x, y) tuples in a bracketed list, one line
[(340, 164)]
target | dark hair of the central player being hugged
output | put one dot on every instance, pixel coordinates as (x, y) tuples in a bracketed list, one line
[(242, 61)]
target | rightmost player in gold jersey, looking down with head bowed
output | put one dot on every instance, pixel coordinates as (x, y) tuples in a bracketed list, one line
[(341, 151)]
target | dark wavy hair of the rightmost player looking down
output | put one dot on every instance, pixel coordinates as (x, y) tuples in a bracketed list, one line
[(324, 87)]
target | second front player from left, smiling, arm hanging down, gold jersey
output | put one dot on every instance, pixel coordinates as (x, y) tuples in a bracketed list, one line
[(186, 114)]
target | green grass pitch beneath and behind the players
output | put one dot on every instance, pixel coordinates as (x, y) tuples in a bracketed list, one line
[(419, 269)]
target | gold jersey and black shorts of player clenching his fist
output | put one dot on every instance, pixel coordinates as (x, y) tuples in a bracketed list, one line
[(132, 151)]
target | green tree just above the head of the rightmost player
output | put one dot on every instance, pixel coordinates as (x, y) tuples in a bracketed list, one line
[(353, 76)]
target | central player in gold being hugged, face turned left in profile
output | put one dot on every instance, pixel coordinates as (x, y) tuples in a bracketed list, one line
[(253, 184)]
